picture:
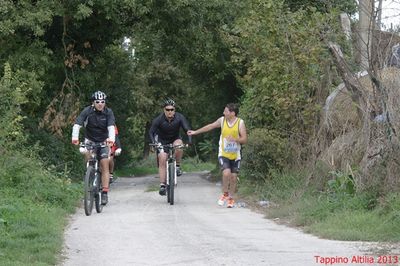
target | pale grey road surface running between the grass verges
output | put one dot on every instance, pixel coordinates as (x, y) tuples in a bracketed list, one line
[(140, 228)]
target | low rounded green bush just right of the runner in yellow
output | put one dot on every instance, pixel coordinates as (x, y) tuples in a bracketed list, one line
[(265, 150)]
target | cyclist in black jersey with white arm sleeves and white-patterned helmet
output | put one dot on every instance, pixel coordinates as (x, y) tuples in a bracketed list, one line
[(99, 122)]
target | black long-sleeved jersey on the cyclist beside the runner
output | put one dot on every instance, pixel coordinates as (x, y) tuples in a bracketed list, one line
[(168, 131)]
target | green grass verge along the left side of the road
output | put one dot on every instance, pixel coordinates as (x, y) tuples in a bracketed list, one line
[(34, 205)]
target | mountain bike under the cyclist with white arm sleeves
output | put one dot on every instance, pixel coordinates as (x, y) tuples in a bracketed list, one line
[(92, 181)]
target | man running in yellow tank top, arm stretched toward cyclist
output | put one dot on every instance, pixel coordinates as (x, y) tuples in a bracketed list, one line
[(233, 134)]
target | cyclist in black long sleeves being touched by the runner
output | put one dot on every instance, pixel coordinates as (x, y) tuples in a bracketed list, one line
[(165, 130)]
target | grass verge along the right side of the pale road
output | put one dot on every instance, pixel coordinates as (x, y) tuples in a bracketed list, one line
[(327, 214)]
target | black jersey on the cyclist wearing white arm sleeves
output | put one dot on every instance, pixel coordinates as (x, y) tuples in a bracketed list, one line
[(96, 123)]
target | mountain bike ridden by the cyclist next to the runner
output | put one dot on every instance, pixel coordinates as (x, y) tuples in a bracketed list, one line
[(171, 176)]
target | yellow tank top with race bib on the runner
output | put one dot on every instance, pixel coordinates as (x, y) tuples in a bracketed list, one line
[(229, 149)]
